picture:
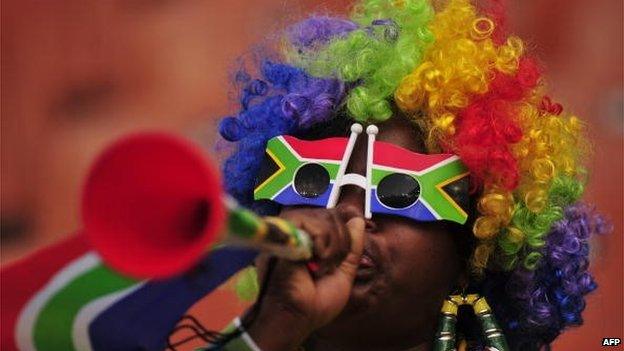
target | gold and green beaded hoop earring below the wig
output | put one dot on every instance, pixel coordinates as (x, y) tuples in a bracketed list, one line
[(445, 337)]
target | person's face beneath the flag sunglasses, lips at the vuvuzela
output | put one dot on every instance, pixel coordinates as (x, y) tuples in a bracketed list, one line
[(408, 267)]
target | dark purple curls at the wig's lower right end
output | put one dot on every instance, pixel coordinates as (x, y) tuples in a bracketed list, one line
[(536, 306)]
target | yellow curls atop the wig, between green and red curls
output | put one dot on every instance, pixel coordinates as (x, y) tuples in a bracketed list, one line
[(459, 64)]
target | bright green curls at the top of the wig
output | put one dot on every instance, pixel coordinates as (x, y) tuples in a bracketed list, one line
[(388, 45)]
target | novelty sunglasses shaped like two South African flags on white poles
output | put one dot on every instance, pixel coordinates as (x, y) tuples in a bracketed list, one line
[(397, 181)]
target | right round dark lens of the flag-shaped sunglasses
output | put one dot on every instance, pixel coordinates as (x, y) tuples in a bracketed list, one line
[(398, 190)]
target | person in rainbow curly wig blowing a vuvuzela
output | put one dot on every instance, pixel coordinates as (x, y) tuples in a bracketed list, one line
[(436, 79)]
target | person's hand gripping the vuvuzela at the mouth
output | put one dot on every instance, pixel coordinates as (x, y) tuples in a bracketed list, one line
[(297, 301)]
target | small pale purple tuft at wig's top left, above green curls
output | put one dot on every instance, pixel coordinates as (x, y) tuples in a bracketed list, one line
[(318, 31)]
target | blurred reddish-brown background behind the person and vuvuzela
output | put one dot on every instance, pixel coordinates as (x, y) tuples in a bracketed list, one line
[(77, 74)]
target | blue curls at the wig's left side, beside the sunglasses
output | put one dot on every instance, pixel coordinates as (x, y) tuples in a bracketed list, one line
[(285, 100)]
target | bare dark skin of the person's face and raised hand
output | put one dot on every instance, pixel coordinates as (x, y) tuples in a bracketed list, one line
[(381, 281)]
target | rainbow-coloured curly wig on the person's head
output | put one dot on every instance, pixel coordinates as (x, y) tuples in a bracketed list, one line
[(473, 91)]
